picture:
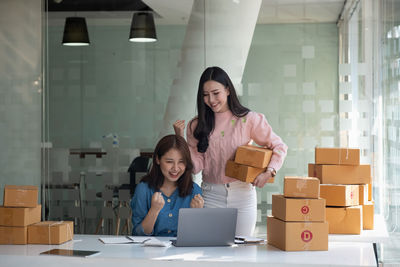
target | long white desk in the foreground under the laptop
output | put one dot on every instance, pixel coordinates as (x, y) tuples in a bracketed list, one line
[(339, 254)]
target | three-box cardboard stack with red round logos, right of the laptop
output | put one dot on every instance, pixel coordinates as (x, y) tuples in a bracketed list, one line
[(298, 217)]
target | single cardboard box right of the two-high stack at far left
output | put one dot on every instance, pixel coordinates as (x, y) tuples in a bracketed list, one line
[(50, 232)]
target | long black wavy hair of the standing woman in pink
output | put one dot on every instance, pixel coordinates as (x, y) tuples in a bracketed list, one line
[(206, 119)]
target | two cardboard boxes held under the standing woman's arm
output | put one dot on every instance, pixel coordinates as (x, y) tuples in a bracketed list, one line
[(250, 161)]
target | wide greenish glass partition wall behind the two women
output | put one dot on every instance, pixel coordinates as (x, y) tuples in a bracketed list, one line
[(109, 102)]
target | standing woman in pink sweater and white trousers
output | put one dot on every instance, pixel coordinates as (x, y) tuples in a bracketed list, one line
[(222, 125)]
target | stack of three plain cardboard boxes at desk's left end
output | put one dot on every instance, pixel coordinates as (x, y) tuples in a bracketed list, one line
[(20, 219)]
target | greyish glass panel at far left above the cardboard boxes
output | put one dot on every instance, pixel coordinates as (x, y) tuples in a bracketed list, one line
[(20, 92)]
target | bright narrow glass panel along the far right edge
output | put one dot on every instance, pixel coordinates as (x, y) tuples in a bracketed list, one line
[(390, 97)]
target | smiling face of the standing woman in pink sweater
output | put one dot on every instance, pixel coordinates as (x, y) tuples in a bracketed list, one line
[(215, 96)]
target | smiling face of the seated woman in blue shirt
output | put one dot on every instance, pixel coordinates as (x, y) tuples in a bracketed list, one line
[(172, 165)]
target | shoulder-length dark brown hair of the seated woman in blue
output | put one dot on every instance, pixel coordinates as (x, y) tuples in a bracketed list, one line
[(155, 177)]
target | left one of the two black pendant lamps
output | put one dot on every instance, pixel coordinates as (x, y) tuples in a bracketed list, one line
[(75, 32)]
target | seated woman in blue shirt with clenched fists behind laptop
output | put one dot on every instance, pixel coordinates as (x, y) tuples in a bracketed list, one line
[(165, 189)]
